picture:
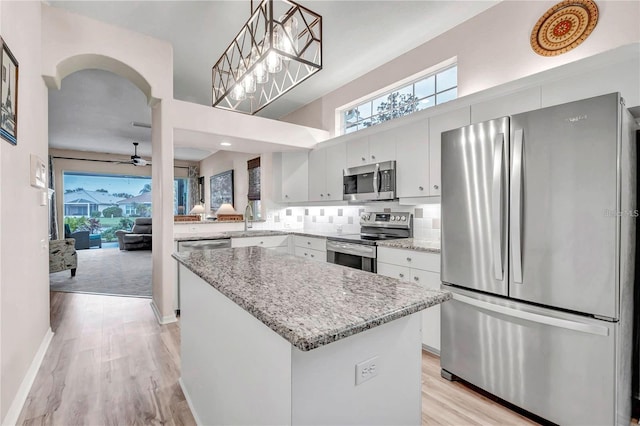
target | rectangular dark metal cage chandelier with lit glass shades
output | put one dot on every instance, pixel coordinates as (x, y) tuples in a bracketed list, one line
[(279, 47)]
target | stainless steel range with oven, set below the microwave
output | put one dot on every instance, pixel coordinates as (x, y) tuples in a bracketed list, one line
[(359, 250)]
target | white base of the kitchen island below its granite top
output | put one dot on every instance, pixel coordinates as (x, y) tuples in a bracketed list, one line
[(236, 370)]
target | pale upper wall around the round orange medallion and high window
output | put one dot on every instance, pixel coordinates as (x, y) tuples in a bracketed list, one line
[(491, 49)]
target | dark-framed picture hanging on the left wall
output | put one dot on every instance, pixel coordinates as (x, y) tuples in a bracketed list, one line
[(8, 95)]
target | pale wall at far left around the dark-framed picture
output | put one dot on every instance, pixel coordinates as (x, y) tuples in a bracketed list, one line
[(24, 283)]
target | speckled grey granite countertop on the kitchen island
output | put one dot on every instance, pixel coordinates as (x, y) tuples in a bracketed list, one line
[(308, 303)]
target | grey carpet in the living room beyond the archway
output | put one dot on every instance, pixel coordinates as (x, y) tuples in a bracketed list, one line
[(107, 271)]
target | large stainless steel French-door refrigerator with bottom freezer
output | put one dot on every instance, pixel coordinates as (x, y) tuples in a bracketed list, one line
[(538, 246)]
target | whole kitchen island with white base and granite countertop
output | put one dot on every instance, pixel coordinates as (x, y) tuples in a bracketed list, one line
[(268, 338)]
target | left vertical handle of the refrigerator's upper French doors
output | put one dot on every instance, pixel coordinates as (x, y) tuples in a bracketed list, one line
[(496, 207)]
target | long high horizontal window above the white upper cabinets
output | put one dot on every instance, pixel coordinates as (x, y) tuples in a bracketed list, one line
[(434, 89)]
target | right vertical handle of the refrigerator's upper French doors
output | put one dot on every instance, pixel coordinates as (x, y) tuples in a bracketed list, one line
[(516, 206)]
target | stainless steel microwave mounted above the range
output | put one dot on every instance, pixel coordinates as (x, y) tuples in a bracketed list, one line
[(370, 182)]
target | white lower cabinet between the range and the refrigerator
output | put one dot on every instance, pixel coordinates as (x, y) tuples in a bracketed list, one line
[(422, 268)]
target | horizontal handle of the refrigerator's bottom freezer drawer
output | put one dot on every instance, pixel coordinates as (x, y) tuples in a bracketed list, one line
[(530, 316)]
